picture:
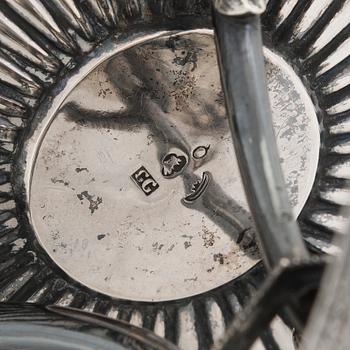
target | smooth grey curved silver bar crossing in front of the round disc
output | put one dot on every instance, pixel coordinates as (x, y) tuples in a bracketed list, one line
[(239, 46)]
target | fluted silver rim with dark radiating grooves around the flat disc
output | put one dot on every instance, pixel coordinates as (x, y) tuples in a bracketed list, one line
[(43, 40)]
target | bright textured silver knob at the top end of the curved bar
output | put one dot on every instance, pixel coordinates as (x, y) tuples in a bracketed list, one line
[(240, 7)]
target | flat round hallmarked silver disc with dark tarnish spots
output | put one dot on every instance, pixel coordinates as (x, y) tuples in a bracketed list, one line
[(132, 184)]
